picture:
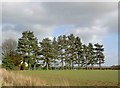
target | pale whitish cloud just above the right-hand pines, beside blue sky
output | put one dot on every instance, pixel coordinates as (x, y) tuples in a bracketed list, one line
[(92, 34)]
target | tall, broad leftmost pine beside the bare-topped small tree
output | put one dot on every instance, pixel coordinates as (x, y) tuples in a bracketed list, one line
[(27, 46)]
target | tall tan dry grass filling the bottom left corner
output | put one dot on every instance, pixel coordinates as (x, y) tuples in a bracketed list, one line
[(16, 79)]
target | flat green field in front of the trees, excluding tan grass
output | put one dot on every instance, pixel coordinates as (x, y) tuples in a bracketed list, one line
[(76, 77)]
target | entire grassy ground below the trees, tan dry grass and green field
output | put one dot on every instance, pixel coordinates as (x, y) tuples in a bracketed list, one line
[(60, 78)]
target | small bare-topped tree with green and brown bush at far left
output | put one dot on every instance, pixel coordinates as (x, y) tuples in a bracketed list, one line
[(10, 58)]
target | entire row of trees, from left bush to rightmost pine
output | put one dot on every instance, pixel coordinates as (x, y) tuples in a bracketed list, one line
[(64, 52)]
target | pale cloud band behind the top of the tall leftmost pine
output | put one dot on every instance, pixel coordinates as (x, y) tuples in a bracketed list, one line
[(40, 31)]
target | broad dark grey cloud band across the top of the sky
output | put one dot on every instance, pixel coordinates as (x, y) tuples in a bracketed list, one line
[(56, 13)]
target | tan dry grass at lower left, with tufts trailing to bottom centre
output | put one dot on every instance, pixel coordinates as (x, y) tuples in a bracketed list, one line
[(11, 78)]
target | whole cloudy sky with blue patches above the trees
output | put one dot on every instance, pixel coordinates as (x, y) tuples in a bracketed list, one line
[(95, 22)]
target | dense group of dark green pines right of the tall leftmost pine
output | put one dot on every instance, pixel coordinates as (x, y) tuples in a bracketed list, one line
[(66, 52)]
